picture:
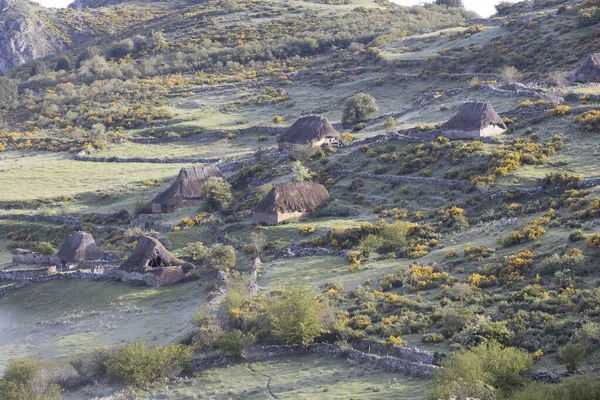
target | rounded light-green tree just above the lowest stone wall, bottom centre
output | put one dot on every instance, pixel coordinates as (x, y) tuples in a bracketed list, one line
[(295, 316)]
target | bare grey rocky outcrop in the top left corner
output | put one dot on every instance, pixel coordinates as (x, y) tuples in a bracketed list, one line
[(24, 34)]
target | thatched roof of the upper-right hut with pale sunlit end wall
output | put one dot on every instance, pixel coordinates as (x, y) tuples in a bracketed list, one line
[(474, 115)]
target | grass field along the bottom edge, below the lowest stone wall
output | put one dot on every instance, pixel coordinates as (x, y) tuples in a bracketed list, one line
[(298, 377)]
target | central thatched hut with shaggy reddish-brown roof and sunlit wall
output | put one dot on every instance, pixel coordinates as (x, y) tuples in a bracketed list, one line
[(290, 200)]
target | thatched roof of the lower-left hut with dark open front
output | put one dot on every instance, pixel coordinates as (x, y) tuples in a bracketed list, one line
[(148, 255)]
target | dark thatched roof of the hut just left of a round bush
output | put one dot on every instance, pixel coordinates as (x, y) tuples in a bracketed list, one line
[(308, 129)]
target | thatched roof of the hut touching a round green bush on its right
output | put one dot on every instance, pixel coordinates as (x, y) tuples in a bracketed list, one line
[(187, 185)]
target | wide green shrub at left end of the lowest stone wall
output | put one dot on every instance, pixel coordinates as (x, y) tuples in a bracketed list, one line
[(138, 364)]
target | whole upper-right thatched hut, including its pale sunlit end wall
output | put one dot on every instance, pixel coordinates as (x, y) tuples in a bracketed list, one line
[(475, 119)]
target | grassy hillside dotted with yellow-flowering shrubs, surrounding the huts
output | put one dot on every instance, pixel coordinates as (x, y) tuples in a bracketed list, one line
[(428, 242)]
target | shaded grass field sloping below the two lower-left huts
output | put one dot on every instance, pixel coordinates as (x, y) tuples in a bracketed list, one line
[(61, 320)]
